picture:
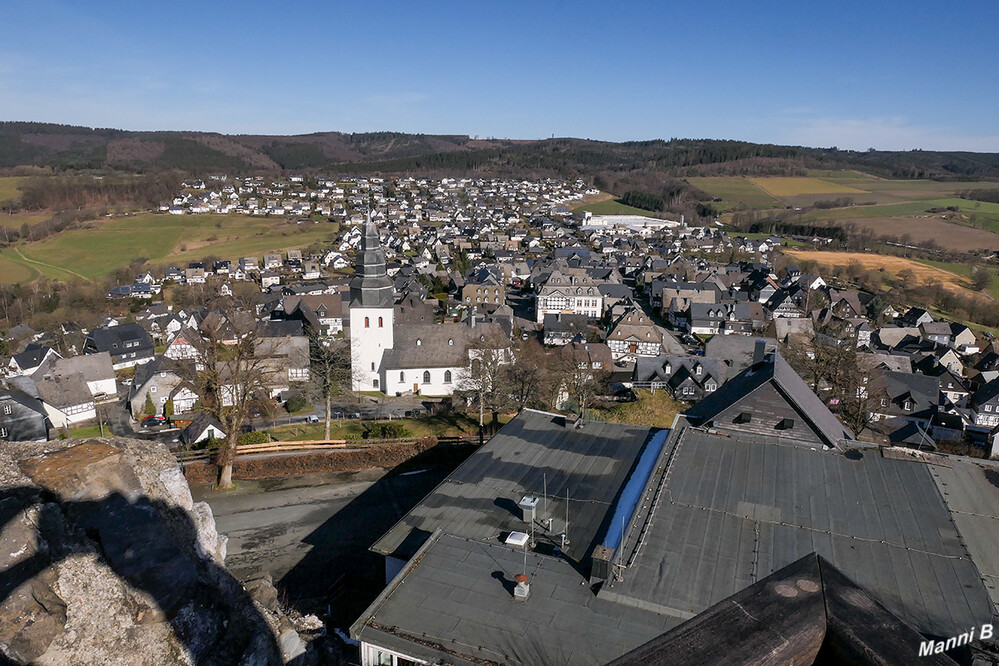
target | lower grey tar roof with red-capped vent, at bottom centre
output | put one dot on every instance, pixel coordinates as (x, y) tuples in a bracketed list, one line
[(458, 595)]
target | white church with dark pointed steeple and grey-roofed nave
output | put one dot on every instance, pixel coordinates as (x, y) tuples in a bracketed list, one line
[(415, 359)]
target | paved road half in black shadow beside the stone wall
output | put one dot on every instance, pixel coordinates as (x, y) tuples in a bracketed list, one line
[(312, 534)]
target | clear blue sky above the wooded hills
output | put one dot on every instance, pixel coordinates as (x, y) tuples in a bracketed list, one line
[(920, 74)]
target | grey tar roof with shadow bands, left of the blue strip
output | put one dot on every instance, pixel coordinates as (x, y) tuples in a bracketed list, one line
[(479, 499)]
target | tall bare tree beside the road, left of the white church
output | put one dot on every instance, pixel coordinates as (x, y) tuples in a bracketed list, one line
[(230, 375)]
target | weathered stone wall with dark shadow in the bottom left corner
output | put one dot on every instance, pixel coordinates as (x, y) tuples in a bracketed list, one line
[(105, 559)]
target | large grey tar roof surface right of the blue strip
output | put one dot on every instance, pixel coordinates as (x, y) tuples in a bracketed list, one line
[(733, 510)]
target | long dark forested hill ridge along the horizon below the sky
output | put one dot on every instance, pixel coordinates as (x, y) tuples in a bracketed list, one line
[(613, 164)]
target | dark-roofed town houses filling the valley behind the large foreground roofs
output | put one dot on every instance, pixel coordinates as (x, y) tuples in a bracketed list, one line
[(653, 304)]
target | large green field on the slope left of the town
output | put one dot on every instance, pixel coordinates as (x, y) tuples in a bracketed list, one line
[(105, 245)]
